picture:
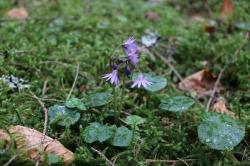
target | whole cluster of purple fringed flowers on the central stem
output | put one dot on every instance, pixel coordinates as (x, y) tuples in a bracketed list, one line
[(132, 58)]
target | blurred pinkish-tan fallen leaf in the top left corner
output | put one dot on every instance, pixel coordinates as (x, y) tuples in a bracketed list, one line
[(18, 13)]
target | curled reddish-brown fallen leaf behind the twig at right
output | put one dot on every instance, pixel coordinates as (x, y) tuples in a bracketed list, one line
[(201, 82)]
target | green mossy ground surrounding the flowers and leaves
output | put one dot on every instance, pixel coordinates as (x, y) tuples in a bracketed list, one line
[(60, 34)]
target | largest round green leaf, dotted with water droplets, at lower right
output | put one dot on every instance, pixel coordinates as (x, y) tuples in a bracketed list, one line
[(220, 131)]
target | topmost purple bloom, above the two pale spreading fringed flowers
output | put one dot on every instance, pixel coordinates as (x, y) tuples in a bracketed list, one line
[(131, 49)]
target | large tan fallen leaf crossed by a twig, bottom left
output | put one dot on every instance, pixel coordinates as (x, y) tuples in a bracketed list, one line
[(31, 140)]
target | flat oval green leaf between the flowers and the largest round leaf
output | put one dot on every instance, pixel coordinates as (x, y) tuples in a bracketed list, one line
[(176, 104)]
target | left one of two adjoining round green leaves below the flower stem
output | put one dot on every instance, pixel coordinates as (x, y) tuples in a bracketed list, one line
[(97, 132)]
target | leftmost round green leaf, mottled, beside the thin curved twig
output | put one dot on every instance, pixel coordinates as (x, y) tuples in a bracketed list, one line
[(62, 116)]
